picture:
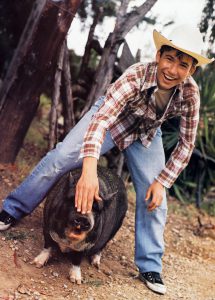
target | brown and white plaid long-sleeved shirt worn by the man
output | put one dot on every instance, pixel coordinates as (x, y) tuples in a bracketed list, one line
[(129, 112)]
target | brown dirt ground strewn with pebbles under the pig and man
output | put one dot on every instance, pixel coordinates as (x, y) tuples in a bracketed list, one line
[(188, 263)]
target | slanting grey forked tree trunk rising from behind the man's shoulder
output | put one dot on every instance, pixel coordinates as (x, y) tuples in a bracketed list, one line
[(124, 23)]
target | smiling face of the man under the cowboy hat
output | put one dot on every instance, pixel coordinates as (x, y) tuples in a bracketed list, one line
[(173, 69)]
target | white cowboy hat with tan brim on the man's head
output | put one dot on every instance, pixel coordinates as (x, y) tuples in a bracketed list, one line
[(186, 39)]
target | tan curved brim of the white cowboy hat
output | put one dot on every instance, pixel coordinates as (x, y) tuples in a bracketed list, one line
[(160, 40)]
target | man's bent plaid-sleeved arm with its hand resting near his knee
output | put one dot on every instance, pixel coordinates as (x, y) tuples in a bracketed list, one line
[(180, 155)]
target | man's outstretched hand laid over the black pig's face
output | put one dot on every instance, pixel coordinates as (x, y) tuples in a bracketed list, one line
[(87, 188)]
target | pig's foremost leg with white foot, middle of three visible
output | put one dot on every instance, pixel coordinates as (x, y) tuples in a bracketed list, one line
[(75, 270)]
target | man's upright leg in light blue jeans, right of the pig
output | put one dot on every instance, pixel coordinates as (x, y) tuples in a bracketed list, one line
[(144, 165)]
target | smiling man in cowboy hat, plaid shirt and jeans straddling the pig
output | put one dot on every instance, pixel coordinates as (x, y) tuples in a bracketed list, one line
[(130, 116)]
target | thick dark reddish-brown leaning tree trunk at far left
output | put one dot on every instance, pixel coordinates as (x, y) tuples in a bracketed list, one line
[(33, 62)]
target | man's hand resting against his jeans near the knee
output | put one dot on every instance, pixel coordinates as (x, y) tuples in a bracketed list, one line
[(156, 192)]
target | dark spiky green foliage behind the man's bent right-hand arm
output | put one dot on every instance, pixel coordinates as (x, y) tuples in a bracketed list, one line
[(201, 169)]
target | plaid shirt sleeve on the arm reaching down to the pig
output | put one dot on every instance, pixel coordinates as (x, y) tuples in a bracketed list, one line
[(125, 88)]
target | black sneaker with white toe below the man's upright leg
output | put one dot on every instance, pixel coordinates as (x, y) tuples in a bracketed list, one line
[(153, 281)]
